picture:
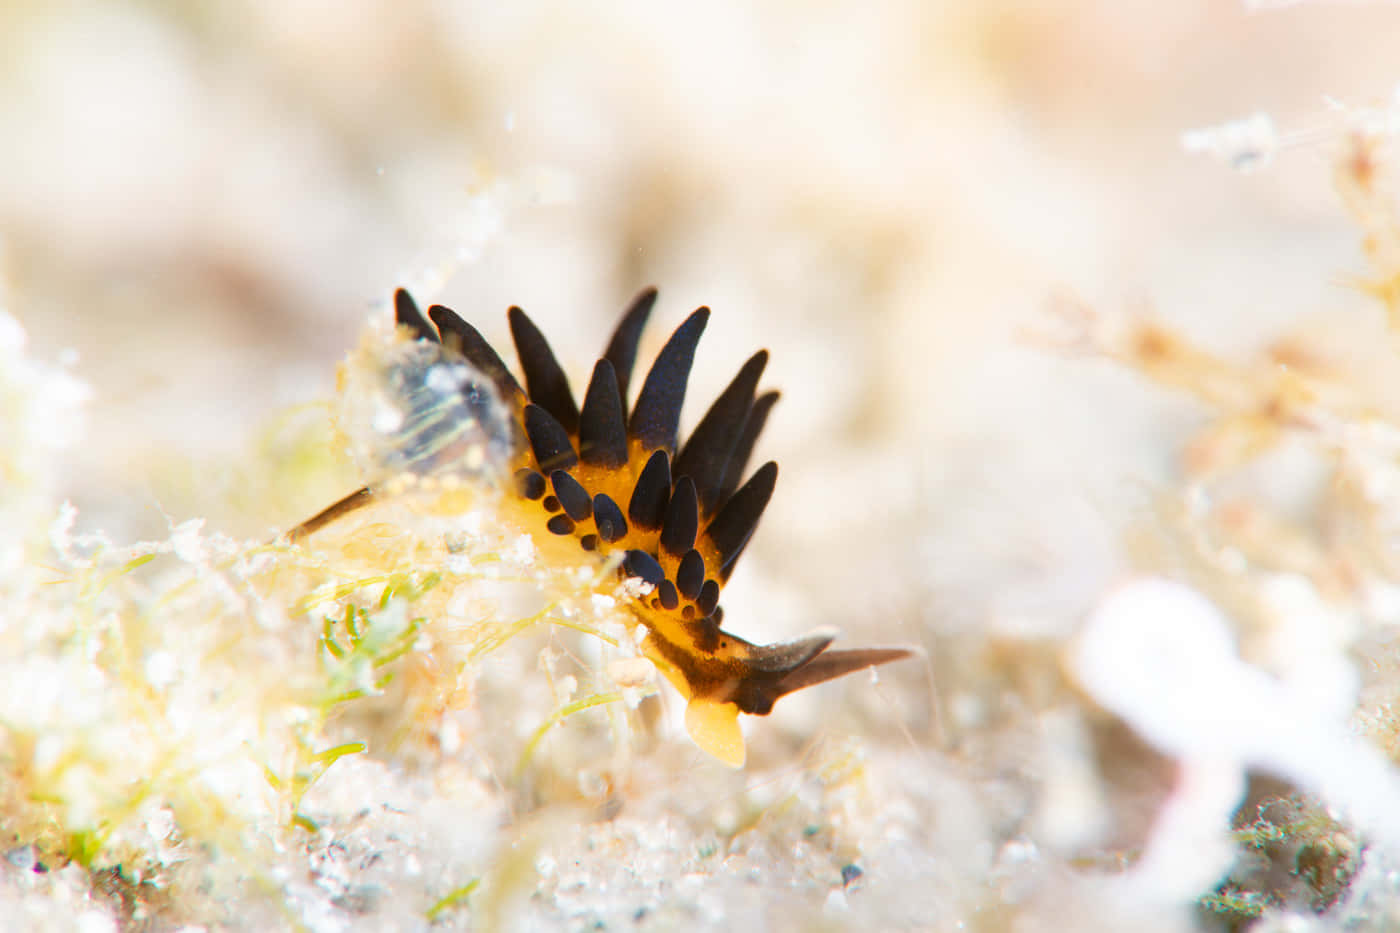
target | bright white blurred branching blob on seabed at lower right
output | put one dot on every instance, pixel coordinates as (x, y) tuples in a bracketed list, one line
[(1163, 658)]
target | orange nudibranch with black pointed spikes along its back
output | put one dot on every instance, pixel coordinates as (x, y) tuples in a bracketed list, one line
[(617, 480)]
